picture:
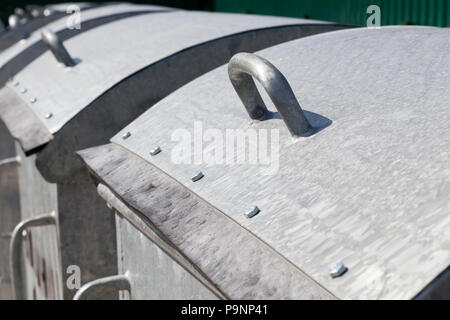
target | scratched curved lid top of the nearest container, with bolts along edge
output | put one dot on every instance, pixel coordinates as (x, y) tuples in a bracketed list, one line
[(371, 189)]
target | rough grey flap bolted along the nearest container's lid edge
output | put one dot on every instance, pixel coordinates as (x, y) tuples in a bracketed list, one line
[(226, 258)]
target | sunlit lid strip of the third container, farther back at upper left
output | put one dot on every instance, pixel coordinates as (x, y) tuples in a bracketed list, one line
[(61, 24)]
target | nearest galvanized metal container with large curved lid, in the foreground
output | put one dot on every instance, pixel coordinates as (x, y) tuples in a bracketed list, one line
[(353, 203)]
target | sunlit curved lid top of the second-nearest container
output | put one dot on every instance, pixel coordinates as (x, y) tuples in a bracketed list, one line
[(65, 92)]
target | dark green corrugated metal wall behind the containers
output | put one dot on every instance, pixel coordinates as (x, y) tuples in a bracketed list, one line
[(393, 12)]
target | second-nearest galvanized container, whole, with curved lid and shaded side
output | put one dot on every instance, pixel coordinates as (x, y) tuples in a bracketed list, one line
[(113, 73)]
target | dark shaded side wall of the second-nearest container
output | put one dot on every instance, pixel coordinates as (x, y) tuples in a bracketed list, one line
[(86, 232)]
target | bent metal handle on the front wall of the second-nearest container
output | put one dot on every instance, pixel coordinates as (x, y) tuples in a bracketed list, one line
[(16, 250)]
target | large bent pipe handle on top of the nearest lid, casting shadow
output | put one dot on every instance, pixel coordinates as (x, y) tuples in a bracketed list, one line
[(242, 67)]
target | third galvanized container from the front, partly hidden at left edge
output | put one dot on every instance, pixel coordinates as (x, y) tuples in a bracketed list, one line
[(14, 59)]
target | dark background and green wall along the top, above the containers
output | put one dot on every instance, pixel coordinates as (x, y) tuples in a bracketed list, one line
[(393, 12)]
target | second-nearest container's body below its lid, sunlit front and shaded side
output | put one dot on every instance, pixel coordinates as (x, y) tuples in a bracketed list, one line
[(84, 236)]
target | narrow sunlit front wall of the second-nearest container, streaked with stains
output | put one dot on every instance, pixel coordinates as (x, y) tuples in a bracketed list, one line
[(41, 262)]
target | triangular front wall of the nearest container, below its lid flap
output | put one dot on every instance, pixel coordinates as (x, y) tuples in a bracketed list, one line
[(153, 274)]
